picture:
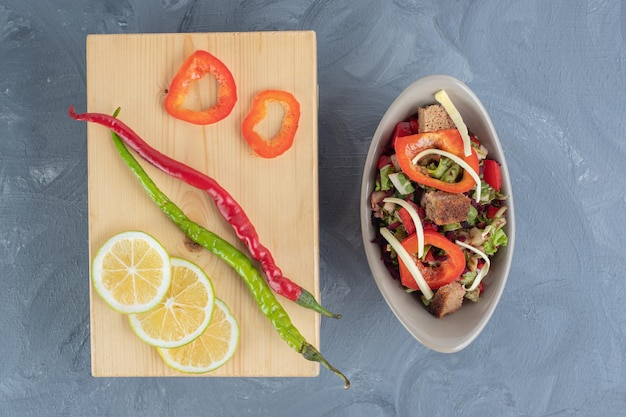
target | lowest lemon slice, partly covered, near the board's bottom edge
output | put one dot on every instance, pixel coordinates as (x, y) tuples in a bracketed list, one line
[(212, 349)]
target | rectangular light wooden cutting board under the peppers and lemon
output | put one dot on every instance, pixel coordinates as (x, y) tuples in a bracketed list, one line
[(279, 195)]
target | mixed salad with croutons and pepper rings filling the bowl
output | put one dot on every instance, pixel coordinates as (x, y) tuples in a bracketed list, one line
[(439, 208)]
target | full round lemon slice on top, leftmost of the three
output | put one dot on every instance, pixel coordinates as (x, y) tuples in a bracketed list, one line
[(131, 272)]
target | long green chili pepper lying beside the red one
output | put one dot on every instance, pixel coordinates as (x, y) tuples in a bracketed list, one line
[(259, 289)]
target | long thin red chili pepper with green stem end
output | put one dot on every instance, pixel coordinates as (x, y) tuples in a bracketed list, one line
[(226, 205)]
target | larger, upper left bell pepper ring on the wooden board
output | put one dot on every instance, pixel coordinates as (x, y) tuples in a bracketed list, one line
[(196, 66)]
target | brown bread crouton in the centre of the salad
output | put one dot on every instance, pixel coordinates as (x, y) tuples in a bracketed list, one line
[(445, 208)]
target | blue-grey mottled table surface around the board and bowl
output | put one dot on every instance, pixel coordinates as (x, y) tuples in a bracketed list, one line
[(551, 74)]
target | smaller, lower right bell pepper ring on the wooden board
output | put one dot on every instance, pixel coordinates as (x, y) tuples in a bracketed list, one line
[(279, 144)]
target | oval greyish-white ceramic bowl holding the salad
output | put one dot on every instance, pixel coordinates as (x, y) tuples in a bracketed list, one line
[(456, 331)]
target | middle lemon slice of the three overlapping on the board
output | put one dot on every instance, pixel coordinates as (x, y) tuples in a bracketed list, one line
[(185, 311)]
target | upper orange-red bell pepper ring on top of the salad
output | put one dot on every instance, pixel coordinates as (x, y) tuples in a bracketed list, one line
[(449, 140)]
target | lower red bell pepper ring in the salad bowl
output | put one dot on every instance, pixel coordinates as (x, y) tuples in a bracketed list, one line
[(444, 271)]
